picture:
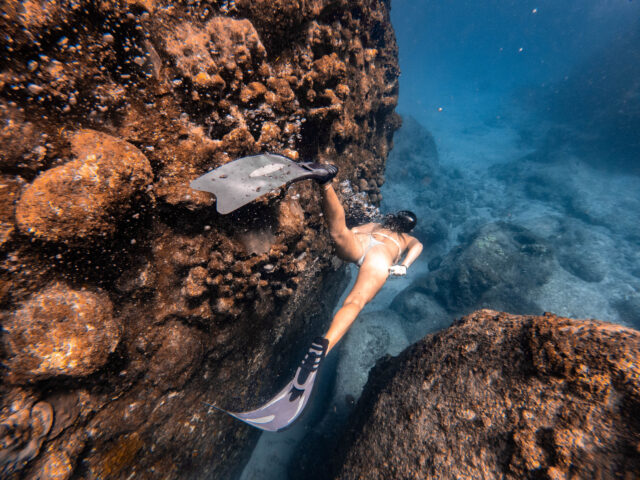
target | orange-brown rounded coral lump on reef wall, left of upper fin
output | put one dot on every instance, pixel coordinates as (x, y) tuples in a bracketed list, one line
[(83, 198)]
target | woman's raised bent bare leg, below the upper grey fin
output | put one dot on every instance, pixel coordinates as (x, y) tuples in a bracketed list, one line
[(347, 245)]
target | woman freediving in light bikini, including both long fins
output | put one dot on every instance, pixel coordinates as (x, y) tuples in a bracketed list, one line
[(379, 249)]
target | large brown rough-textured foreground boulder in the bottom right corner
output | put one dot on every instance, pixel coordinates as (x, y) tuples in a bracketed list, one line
[(502, 396)]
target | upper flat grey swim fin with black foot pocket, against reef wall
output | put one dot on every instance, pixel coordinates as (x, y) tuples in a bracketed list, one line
[(241, 181)]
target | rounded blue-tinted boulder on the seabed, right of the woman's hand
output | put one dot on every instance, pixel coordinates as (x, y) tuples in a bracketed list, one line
[(496, 265)]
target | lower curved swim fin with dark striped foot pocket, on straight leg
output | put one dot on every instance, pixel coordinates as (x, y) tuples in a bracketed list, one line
[(283, 409)]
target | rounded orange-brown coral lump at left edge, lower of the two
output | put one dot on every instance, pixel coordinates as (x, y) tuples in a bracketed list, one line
[(60, 331)]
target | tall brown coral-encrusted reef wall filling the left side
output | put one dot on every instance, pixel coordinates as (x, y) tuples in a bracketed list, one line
[(128, 304)]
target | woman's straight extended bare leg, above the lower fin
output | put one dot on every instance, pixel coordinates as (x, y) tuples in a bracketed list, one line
[(371, 278)]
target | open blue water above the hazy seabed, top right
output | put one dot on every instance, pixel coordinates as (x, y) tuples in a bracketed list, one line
[(466, 57)]
